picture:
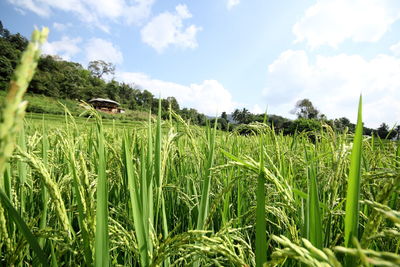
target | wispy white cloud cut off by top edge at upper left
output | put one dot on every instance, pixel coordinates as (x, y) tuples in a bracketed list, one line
[(95, 12)]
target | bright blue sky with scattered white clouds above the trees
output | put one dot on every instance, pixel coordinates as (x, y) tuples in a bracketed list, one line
[(218, 55)]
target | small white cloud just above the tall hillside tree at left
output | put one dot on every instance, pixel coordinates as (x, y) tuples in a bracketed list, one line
[(99, 49)]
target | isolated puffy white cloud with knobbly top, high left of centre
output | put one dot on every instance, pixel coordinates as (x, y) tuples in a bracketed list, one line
[(167, 29)]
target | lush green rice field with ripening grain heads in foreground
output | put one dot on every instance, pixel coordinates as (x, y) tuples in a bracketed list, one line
[(166, 193)]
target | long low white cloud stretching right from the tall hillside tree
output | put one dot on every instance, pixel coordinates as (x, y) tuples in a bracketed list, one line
[(210, 97)]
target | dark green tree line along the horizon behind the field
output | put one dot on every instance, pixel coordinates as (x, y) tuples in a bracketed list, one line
[(59, 78)]
